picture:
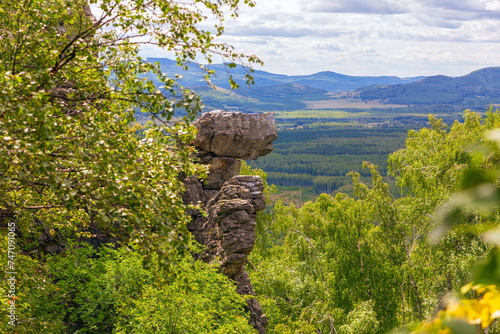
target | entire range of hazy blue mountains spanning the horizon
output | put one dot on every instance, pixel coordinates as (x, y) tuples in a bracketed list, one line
[(279, 92)]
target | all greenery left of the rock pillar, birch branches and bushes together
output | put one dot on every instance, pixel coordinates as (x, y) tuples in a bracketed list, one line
[(76, 169)]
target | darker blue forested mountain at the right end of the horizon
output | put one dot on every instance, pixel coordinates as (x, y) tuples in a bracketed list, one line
[(481, 87)]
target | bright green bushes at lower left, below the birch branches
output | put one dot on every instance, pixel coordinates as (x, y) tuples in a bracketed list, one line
[(109, 291)]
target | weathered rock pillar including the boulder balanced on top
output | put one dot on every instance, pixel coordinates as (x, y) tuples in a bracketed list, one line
[(231, 201)]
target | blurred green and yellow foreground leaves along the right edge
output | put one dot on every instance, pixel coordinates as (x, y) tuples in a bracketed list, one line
[(476, 196)]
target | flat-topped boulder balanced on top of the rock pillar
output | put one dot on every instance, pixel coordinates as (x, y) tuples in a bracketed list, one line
[(235, 134)]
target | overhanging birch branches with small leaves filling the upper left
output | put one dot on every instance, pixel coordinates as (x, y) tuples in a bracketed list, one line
[(72, 161)]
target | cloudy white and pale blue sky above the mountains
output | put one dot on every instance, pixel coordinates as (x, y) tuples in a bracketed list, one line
[(403, 38)]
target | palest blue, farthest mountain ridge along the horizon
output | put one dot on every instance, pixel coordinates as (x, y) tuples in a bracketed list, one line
[(328, 81)]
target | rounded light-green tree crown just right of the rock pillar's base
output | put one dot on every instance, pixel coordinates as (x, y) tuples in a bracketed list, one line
[(310, 257)]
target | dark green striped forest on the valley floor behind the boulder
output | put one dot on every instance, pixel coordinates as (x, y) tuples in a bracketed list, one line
[(321, 157)]
